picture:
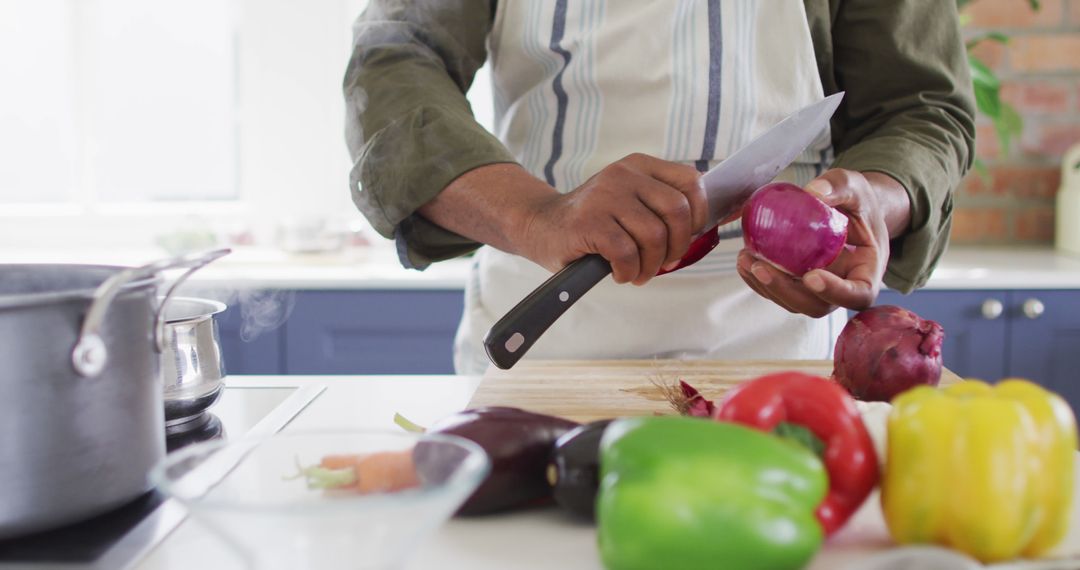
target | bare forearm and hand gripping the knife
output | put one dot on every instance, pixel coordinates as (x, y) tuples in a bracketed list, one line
[(640, 213)]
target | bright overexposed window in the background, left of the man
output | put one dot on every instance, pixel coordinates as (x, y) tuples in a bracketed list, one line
[(125, 120)]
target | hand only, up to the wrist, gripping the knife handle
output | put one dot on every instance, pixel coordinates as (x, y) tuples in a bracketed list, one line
[(640, 213)]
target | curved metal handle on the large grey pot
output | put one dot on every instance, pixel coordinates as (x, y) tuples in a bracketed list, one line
[(89, 357)]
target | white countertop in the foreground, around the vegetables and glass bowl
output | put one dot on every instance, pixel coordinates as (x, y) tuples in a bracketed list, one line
[(539, 539)]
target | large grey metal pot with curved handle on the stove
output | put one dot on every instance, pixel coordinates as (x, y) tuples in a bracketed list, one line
[(80, 398)]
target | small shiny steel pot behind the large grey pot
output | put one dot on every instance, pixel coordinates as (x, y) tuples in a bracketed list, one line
[(193, 371)]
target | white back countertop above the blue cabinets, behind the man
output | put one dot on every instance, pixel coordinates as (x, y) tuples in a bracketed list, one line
[(377, 268)]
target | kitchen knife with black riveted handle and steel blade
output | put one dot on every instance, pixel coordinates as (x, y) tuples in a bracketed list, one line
[(727, 187)]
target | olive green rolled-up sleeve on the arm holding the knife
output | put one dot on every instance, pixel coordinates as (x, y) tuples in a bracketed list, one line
[(409, 126)]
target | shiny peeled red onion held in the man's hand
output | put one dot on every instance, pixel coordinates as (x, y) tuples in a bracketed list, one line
[(792, 228)]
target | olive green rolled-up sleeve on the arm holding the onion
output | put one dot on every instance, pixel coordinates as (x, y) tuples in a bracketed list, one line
[(909, 113)]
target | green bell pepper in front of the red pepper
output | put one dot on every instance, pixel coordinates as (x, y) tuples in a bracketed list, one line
[(691, 494)]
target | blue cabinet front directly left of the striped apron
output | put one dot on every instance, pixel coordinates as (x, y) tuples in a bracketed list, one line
[(373, 332)]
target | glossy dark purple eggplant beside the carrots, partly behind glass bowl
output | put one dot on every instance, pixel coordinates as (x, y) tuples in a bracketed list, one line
[(519, 444)]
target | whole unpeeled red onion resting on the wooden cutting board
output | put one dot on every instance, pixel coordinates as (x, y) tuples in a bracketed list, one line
[(886, 350)]
